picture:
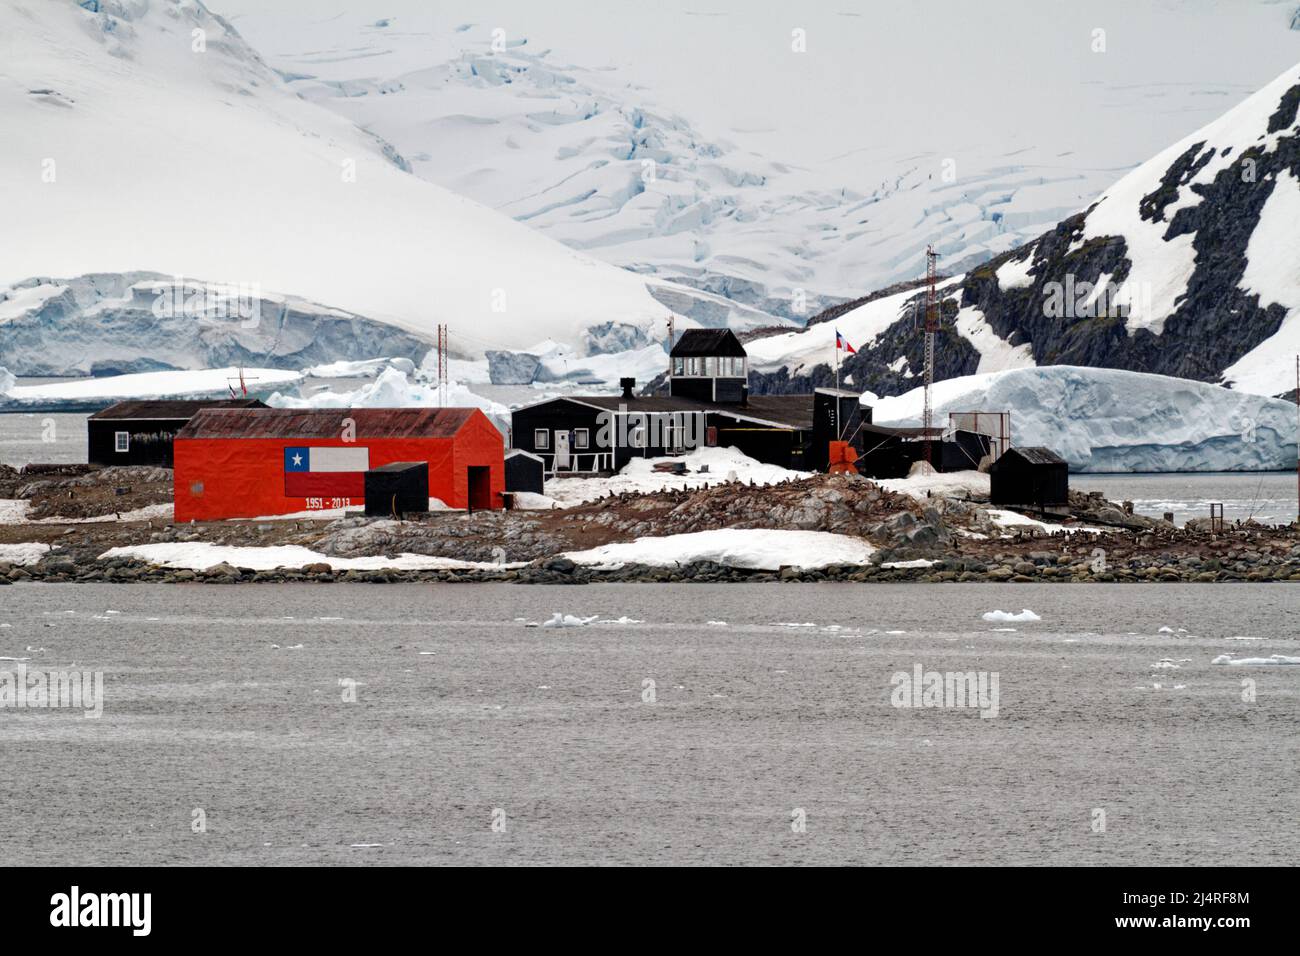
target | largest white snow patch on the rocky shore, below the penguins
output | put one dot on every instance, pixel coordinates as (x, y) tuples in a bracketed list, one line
[(747, 548)]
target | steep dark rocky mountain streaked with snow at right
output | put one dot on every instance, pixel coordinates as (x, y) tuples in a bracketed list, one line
[(1185, 267)]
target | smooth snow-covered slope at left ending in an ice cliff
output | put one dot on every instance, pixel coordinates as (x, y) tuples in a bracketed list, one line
[(149, 137)]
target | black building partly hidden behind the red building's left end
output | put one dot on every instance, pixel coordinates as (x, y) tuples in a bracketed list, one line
[(142, 432)]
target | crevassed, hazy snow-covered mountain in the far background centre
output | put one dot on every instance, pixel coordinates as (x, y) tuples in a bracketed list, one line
[(707, 145)]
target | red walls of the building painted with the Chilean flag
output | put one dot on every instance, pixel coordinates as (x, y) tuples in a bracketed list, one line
[(245, 478)]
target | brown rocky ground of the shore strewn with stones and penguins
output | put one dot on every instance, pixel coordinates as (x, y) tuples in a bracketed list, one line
[(942, 539)]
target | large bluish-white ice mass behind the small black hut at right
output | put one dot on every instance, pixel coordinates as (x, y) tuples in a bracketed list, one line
[(1110, 421)]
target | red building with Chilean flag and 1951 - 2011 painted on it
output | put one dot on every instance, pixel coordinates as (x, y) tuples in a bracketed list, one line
[(254, 462)]
